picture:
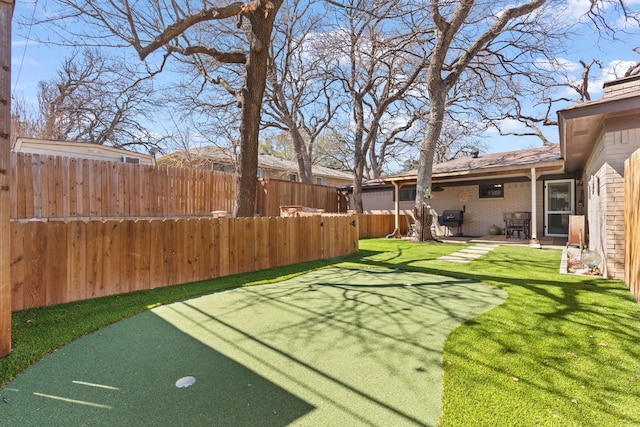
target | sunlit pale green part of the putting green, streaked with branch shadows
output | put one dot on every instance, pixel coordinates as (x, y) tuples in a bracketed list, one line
[(364, 346)]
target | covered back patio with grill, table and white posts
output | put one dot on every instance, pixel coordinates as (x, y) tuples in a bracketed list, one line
[(487, 188)]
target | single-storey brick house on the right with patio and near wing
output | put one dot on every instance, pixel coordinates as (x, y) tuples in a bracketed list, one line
[(583, 175)]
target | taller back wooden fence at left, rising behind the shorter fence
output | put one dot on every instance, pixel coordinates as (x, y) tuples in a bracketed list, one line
[(63, 187)]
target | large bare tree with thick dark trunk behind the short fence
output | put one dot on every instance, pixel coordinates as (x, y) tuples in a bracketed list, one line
[(178, 28)]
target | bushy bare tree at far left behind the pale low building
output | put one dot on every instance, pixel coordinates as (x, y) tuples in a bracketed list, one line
[(96, 99)]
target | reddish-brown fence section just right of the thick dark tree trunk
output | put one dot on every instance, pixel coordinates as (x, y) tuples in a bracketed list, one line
[(273, 193)]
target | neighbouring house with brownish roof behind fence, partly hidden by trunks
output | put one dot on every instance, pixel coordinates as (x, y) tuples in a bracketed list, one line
[(222, 159)]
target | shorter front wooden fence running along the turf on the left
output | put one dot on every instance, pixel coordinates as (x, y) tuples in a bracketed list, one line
[(61, 261)]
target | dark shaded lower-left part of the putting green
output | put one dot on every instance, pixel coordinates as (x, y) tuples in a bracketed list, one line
[(125, 374)]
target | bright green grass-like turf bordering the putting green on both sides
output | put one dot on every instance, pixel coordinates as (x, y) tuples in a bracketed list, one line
[(562, 350)]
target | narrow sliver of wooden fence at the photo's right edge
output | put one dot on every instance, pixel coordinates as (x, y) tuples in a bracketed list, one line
[(632, 224)]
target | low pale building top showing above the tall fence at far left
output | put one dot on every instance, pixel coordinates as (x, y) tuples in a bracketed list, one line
[(80, 150)]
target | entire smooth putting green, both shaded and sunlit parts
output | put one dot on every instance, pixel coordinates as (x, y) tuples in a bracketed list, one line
[(337, 346)]
